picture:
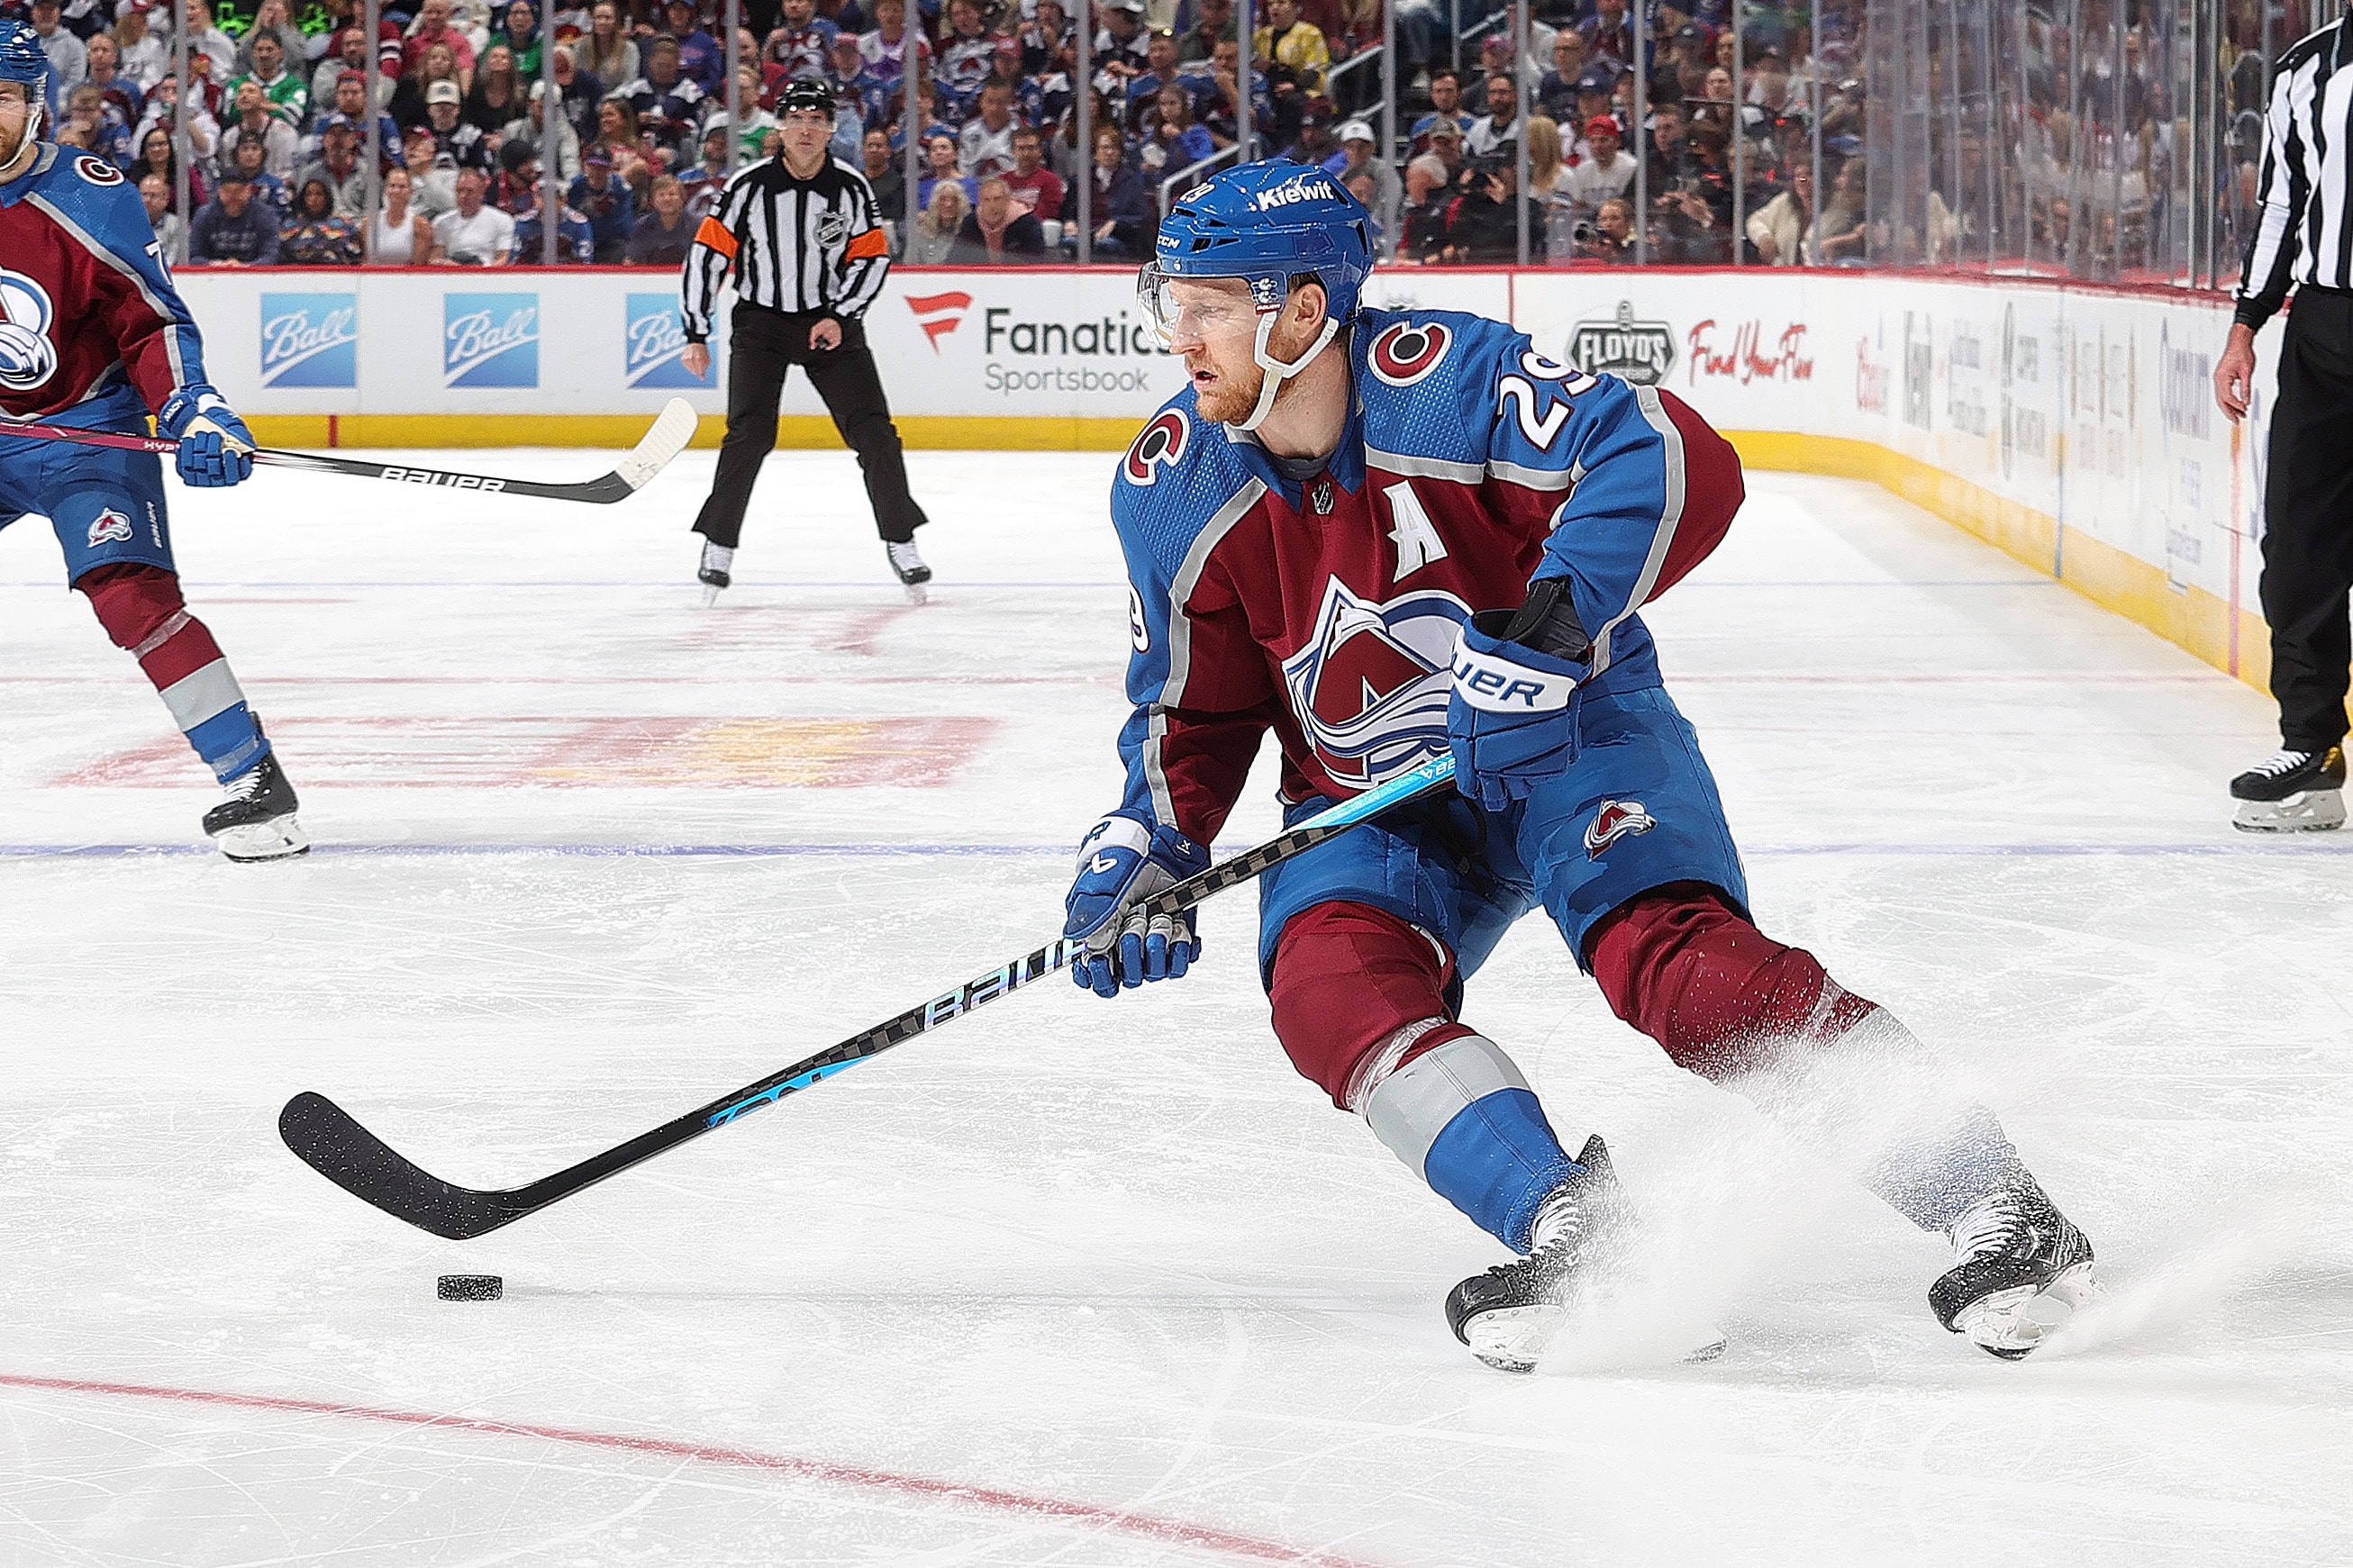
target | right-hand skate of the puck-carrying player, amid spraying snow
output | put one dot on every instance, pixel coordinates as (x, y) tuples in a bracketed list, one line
[(2018, 1273)]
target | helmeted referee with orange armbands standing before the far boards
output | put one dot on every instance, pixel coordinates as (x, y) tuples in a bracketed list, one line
[(806, 250)]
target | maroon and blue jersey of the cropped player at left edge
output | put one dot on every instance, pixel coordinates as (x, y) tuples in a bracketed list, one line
[(91, 328)]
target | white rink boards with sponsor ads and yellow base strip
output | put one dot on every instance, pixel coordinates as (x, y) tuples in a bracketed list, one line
[(2069, 424)]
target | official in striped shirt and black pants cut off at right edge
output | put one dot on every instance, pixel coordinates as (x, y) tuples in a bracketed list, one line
[(2305, 241)]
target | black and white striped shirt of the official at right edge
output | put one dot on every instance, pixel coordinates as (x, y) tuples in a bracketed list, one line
[(2305, 227)]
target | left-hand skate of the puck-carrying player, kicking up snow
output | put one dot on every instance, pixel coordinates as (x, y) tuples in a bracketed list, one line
[(1512, 1313)]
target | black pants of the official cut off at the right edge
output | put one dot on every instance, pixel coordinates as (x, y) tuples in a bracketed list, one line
[(2309, 523)]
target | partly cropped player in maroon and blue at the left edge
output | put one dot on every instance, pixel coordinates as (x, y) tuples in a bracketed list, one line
[(93, 335)]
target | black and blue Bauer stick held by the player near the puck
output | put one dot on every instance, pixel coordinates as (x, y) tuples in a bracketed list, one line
[(333, 1144)]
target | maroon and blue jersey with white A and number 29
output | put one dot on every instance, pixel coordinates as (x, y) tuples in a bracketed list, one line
[(1328, 610)]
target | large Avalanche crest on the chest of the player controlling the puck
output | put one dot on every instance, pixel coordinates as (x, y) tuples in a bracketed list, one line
[(1371, 688)]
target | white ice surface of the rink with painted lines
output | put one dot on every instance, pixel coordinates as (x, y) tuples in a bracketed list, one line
[(1109, 1268)]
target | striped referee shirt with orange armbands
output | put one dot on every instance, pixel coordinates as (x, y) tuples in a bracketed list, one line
[(792, 246)]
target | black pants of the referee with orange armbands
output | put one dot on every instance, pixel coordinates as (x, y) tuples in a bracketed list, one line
[(764, 347)]
